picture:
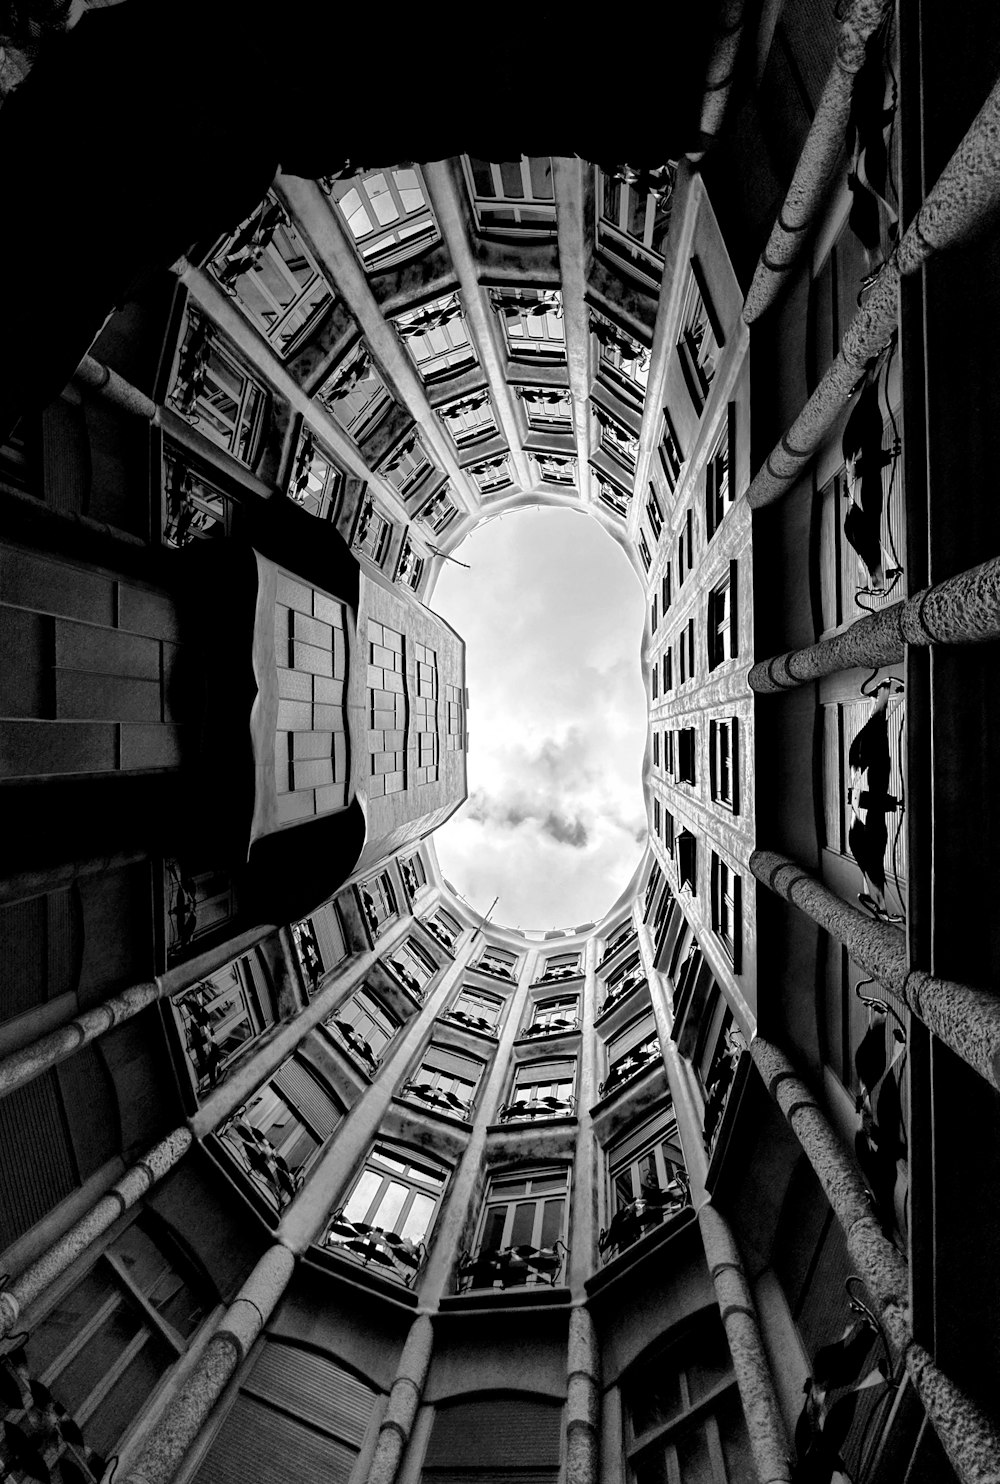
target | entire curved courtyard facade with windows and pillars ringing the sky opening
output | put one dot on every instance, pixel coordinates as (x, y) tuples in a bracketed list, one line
[(311, 1172)]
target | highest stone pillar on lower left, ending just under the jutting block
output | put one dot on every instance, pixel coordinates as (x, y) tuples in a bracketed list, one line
[(30, 1062)]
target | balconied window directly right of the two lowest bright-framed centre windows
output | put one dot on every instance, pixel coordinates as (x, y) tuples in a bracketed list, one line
[(648, 1182)]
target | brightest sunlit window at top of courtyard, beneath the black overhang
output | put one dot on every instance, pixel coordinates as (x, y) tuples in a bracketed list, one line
[(386, 213)]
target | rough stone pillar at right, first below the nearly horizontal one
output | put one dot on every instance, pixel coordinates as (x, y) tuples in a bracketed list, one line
[(967, 1019)]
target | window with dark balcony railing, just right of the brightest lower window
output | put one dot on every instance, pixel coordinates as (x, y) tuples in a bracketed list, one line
[(522, 1232)]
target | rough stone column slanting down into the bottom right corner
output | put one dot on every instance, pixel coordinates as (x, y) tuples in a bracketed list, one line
[(970, 1439)]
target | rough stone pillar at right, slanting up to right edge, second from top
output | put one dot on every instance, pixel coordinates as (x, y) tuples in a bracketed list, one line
[(962, 206)]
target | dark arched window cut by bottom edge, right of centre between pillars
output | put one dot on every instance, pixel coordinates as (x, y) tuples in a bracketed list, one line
[(683, 1415)]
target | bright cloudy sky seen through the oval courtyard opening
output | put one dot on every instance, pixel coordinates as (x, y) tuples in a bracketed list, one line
[(553, 620)]
